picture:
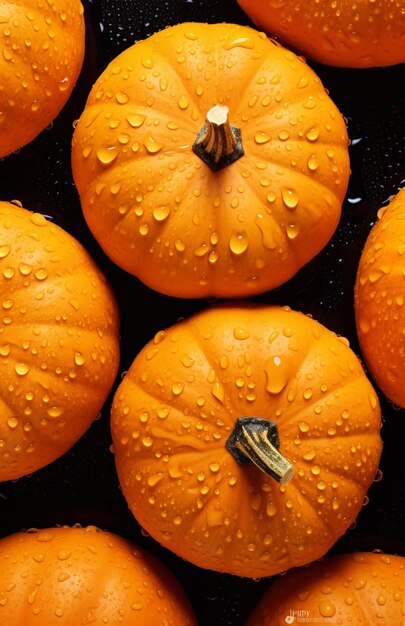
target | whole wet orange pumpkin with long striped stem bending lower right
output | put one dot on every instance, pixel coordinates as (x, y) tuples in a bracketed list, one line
[(231, 385)]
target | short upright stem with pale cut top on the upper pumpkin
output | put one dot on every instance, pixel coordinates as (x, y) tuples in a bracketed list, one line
[(218, 143)]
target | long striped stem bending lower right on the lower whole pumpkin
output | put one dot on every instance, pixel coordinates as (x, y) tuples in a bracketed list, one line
[(256, 440)]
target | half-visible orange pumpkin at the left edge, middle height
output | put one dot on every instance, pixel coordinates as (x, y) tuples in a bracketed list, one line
[(59, 349)]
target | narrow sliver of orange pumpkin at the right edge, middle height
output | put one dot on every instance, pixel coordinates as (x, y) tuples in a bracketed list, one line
[(379, 300)]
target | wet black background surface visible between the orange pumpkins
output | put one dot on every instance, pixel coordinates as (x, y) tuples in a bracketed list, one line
[(82, 487)]
